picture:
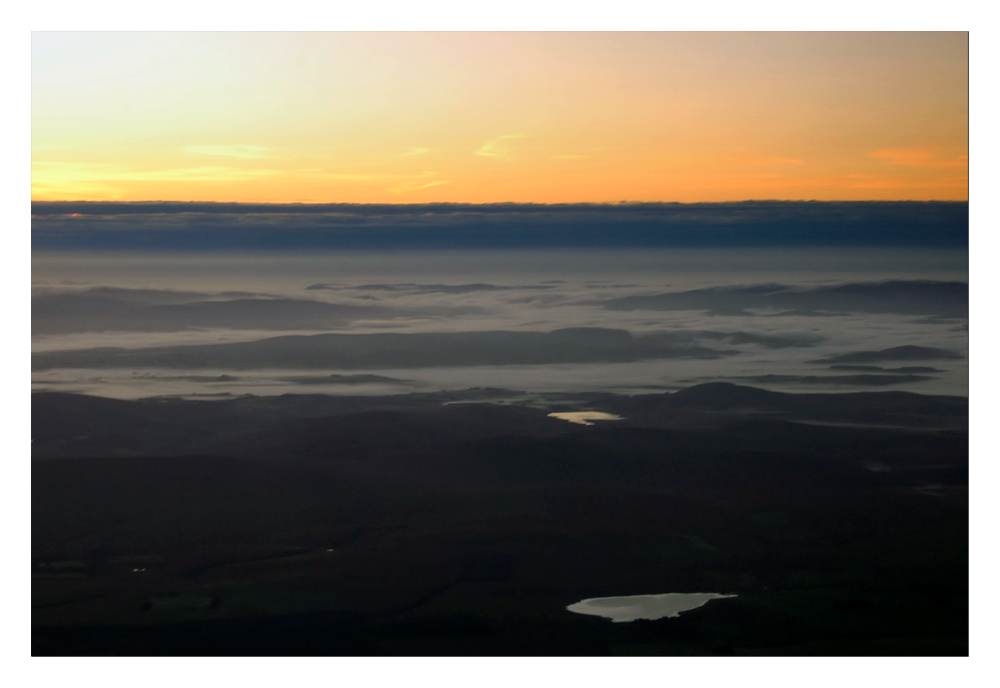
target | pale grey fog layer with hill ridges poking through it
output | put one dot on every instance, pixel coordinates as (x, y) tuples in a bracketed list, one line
[(132, 325)]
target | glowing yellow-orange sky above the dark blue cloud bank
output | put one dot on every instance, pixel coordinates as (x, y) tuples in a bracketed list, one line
[(492, 117)]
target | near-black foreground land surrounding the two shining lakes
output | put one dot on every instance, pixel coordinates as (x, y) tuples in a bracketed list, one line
[(464, 524)]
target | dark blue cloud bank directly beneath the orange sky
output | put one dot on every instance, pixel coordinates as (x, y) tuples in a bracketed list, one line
[(247, 227)]
